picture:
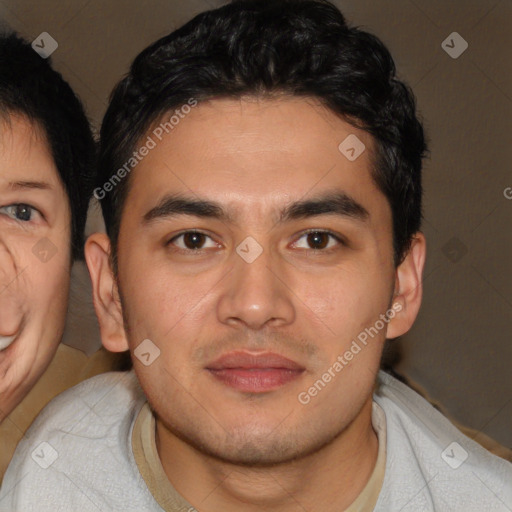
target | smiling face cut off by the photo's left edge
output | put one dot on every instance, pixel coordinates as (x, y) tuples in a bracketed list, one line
[(34, 259)]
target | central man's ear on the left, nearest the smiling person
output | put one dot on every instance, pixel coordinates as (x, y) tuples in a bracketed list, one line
[(105, 293)]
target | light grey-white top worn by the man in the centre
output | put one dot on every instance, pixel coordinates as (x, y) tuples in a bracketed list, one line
[(79, 456)]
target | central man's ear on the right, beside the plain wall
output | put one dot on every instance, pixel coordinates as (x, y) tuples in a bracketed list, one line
[(408, 288)]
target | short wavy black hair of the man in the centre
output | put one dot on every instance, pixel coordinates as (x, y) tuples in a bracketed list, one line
[(254, 48)]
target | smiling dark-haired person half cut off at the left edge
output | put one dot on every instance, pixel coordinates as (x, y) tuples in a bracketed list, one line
[(47, 154)]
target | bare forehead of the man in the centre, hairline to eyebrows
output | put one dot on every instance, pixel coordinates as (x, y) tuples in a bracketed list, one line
[(189, 160)]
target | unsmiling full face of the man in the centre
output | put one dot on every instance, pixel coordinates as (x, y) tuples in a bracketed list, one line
[(306, 297)]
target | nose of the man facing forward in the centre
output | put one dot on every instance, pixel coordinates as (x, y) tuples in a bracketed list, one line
[(255, 295)]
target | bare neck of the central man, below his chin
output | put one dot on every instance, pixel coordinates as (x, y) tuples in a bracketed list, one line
[(330, 479)]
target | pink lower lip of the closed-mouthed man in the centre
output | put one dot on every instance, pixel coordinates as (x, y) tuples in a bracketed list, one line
[(258, 380)]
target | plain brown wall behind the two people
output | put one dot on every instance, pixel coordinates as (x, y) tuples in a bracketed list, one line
[(460, 349)]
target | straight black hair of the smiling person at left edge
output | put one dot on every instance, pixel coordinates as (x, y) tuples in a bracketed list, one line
[(31, 88)]
